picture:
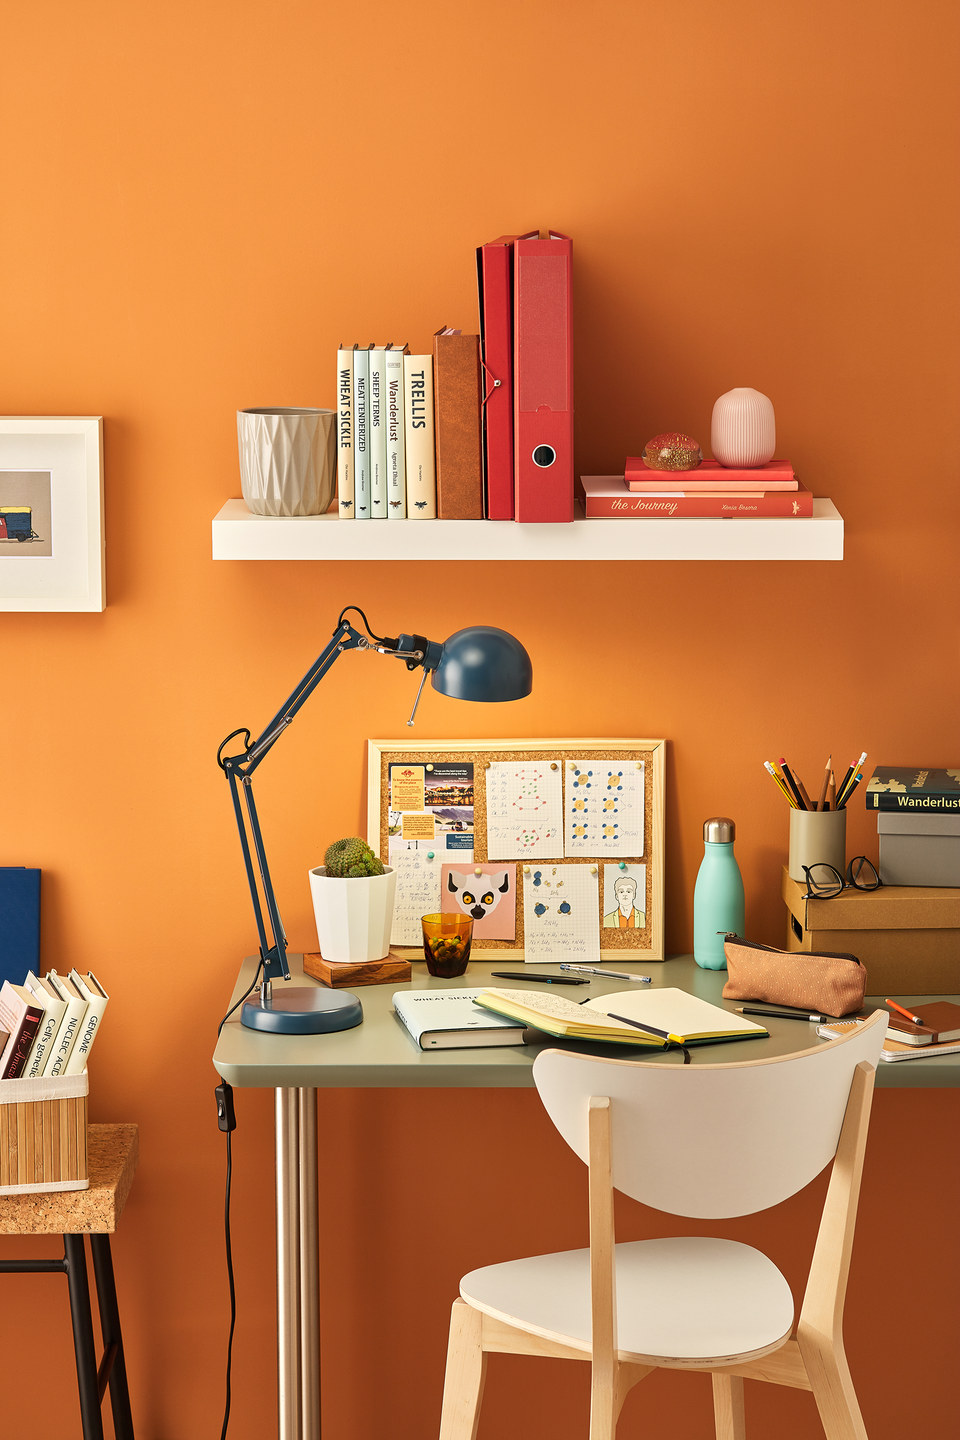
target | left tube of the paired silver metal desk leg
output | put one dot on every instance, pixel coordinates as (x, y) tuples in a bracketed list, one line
[(289, 1343)]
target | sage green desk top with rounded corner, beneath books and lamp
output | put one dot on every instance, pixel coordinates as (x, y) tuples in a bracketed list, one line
[(382, 1053)]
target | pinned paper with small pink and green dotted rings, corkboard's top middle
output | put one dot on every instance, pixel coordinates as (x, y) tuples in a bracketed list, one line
[(525, 811)]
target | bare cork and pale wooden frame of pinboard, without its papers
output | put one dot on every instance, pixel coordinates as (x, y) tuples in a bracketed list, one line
[(643, 944)]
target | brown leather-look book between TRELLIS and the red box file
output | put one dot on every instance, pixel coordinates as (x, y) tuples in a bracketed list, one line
[(460, 450)]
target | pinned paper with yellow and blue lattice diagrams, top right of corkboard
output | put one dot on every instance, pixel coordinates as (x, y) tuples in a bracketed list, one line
[(604, 809)]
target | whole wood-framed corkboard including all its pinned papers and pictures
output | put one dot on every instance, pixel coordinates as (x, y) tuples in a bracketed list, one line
[(555, 846)]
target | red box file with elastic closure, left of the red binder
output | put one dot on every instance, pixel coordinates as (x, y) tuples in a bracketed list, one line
[(496, 286)]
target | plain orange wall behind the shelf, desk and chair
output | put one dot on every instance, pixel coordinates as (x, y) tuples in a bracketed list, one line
[(195, 215)]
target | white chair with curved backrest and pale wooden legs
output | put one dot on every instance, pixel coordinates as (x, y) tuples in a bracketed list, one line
[(705, 1141)]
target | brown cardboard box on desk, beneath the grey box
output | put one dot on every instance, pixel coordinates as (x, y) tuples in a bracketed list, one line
[(906, 937)]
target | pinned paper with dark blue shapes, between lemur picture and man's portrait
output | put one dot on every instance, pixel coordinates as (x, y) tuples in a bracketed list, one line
[(562, 914)]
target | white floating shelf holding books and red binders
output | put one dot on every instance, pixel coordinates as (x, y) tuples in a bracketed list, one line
[(243, 536)]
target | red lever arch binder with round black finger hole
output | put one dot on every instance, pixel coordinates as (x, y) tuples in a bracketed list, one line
[(543, 378)]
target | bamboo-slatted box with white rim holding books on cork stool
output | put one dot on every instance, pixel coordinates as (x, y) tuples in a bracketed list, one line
[(44, 1135)]
